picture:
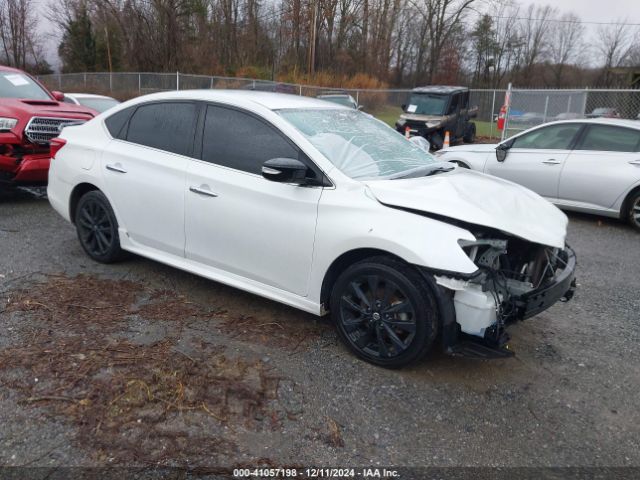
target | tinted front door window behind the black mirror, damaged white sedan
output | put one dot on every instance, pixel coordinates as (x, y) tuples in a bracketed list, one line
[(238, 140)]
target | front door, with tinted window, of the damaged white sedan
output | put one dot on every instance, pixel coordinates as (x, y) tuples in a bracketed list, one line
[(240, 222)]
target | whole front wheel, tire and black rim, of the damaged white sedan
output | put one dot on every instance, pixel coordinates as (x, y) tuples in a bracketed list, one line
[(385, 312)]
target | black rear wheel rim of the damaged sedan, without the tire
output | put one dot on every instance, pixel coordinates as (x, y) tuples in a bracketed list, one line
[(95, 228)]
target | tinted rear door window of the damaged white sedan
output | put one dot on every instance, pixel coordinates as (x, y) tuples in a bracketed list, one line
[(166, 126)]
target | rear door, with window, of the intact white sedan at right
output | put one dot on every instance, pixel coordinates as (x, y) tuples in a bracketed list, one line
[(604, 164)]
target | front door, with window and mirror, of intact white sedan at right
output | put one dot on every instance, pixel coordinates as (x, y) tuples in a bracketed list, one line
[(536, 158)]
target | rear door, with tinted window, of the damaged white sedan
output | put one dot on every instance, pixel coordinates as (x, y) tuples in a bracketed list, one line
[(145, 172)]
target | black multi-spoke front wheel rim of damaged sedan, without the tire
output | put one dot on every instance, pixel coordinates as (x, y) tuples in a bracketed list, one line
[(377, 316)]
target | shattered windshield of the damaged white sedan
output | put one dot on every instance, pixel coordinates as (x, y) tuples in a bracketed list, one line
[(358, 144)]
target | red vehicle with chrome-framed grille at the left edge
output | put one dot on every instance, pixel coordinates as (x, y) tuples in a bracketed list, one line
[(30, 116)]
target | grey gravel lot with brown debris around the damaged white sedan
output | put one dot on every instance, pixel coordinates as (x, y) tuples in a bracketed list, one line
[(141, 364)]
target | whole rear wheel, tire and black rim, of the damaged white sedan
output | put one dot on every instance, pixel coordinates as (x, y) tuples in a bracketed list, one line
[(97, 228)]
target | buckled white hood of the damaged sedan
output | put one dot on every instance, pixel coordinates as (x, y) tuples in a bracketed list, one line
[(478, 199)]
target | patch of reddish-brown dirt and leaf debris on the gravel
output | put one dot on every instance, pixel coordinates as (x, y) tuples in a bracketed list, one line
[(145, 404)]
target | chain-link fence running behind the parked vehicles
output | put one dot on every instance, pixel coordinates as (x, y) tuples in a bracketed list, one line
[(528, 107)]
